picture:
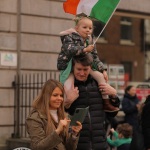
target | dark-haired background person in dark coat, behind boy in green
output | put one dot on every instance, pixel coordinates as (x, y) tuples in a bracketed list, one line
[(131, 106)]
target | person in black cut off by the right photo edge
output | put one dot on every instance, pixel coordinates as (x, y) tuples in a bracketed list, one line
[(145, 121)]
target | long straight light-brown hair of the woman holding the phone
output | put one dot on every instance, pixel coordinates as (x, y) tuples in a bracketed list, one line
[(42, 101)]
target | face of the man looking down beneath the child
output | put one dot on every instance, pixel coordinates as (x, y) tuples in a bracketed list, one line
[(81, 72)]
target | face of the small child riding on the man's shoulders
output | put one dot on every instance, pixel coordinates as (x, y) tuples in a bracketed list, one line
[(84, 27)]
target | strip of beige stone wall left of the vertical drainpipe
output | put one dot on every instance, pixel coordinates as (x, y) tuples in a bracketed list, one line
[(8, 43)]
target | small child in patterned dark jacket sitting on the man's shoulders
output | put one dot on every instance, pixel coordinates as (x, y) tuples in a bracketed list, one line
[(76, 41)]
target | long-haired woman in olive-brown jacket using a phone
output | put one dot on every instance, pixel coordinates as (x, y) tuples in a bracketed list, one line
[(48, 124)]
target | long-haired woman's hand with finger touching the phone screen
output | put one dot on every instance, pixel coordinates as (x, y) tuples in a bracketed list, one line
[(62, 124)]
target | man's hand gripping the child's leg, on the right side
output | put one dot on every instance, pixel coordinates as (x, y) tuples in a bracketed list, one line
[(107, 90)]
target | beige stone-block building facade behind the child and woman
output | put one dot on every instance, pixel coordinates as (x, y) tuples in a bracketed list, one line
[(30, 43)]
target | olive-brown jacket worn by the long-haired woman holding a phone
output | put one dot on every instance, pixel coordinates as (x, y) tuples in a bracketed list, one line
[(36, 127)]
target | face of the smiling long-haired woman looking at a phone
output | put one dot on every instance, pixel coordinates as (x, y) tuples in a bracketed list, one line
[(56, 98)]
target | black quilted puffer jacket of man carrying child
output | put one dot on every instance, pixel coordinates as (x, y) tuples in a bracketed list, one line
[(93, 135)]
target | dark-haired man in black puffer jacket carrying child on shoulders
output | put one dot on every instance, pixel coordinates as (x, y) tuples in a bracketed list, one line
[(93, 134)]
